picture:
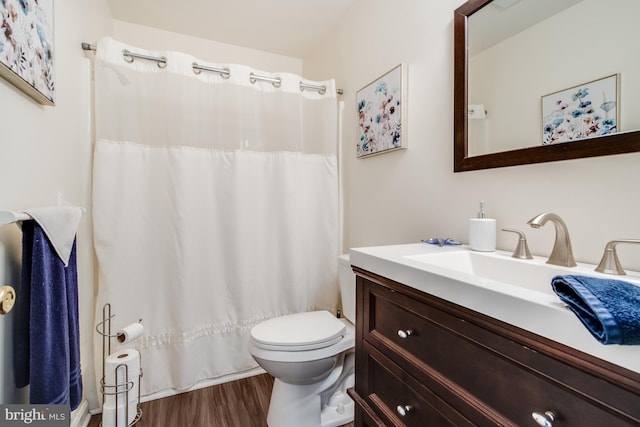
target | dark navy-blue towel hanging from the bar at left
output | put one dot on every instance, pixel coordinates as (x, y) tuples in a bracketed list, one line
[(47, 347)]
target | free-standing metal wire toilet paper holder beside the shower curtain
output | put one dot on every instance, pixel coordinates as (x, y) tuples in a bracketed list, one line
[(116, 389)]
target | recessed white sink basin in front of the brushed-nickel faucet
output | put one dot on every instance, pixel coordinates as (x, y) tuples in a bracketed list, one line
[(500, 267)]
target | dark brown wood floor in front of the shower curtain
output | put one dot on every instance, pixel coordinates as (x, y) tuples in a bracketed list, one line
[(242, 403)]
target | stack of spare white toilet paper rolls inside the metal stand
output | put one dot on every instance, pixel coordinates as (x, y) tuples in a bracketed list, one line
[(122, 373)]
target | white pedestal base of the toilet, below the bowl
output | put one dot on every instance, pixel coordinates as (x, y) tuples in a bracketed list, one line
[(294, 405)]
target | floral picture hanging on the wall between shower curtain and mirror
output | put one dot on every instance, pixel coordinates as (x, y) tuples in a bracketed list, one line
[(382, 111)]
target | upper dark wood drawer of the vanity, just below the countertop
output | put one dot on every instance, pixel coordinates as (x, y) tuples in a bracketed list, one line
[(442, 346)]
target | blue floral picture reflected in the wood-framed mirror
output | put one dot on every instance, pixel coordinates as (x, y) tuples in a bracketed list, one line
[(584, 111)]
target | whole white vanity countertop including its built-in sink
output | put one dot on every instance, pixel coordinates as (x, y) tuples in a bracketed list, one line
[(494, 284)]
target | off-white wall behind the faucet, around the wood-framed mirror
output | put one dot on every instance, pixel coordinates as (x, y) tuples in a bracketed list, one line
[(408, 195)]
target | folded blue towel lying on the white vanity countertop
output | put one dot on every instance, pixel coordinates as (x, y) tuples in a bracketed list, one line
[(610, 309)]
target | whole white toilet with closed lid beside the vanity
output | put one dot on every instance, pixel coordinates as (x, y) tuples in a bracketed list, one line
[(311, 356)]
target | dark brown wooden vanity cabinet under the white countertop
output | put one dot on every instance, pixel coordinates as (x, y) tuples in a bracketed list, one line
[(423, 361)]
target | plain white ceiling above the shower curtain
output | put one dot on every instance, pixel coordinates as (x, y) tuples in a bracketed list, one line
[(285, 27)]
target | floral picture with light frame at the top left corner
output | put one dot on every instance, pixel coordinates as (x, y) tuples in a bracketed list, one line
[(26, 47)]
